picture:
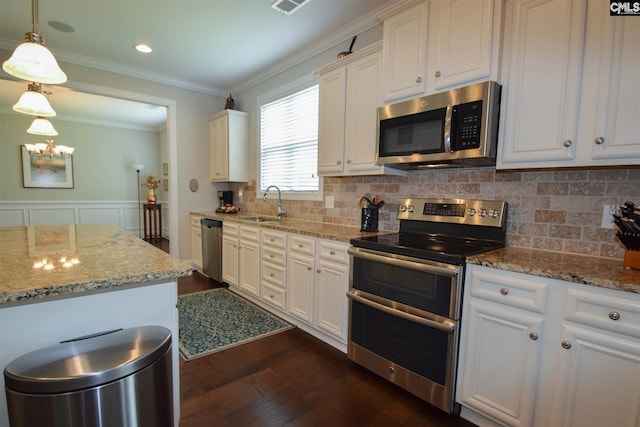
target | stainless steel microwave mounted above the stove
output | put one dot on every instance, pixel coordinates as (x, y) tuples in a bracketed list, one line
[(455, 128)]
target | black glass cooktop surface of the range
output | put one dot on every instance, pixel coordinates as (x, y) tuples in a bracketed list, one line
[(432, 247)]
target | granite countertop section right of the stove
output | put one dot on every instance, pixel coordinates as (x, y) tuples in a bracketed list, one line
[(594, 271)]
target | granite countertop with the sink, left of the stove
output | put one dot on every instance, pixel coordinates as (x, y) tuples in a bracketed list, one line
[(309, 228)]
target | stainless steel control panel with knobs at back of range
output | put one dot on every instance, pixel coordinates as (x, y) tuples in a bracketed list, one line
[(456, 211)]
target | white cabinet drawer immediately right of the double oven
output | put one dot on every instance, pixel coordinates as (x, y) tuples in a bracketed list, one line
[(512, 289)]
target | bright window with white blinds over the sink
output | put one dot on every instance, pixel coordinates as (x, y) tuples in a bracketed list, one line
[(289, 140)]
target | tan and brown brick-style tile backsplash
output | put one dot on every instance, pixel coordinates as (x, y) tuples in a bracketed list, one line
[(558, 210)]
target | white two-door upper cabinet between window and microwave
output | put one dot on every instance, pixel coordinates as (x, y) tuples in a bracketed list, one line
[(347, 125)]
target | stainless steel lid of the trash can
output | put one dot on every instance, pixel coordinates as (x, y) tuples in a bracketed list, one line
[(87, 361)]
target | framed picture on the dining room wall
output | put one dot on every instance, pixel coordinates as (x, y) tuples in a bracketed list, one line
[(42, 171)]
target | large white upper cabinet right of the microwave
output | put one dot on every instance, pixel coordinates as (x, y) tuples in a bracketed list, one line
[(570, 90)]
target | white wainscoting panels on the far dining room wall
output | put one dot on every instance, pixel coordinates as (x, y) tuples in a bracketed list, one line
[(124, 215)]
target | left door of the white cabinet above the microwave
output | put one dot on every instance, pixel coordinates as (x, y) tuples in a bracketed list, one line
[(404, 52)]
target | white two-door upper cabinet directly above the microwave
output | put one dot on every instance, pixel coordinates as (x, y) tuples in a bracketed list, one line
[(431, 46)]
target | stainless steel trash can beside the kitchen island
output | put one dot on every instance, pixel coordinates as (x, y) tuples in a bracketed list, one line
[(114, 378)]
